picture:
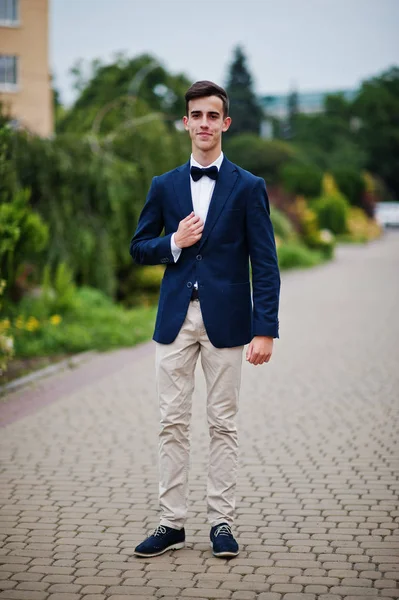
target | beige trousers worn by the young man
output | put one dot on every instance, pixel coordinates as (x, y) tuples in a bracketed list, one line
[(175, 366)]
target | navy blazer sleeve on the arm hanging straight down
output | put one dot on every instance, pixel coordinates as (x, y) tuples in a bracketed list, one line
[(264, 264)]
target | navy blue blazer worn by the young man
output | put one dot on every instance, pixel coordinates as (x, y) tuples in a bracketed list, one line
[(237, 230)]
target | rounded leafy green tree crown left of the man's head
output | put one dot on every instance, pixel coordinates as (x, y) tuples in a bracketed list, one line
[(111, 95)]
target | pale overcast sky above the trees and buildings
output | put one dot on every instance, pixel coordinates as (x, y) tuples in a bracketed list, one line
[(309, 45)]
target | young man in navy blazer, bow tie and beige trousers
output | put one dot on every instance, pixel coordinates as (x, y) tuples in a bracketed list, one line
[(216, 219)]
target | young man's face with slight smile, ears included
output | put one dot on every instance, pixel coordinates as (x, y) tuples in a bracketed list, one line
[(205, 122)]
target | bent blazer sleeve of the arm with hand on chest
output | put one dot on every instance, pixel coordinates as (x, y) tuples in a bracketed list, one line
[(146, 246)]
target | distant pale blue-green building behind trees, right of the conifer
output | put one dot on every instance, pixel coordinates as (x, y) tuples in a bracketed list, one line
[(308, 102)]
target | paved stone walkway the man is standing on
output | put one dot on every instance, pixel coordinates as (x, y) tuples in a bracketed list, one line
[(317, 504)]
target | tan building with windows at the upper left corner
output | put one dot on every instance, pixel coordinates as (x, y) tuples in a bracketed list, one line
[(25, 83)]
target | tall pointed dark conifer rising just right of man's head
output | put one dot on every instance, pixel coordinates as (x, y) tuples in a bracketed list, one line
[(245, 110)]
